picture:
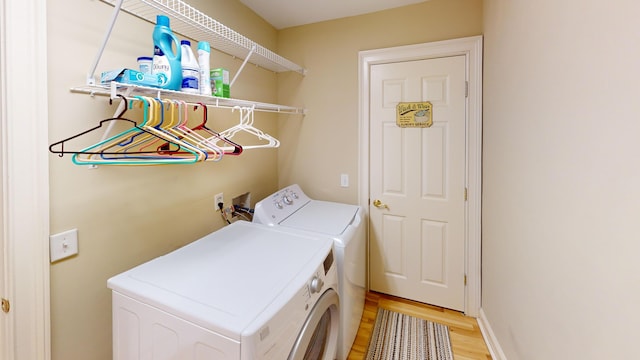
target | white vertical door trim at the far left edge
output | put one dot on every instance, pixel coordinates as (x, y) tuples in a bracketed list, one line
[(25, 211)]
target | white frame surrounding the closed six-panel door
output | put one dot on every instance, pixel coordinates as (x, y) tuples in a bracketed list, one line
[(471, 48)]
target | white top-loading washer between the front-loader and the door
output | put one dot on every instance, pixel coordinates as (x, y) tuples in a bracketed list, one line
[(290, 208)]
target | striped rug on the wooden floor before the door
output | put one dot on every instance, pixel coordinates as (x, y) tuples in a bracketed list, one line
[(402, 337)]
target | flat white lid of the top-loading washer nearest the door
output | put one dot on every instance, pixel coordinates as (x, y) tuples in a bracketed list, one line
[(322, 217)]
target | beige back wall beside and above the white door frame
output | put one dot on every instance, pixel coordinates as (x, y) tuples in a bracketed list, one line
[(316, 150)]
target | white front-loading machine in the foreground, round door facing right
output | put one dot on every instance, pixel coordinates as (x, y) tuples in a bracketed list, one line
[(244, 292)]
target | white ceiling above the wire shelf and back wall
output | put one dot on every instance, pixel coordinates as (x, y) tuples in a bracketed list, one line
[(286, 13)]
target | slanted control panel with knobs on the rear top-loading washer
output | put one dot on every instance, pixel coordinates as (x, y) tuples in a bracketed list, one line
[(280, 205)]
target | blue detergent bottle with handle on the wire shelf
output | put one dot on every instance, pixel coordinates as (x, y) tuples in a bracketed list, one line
[(166, 60)]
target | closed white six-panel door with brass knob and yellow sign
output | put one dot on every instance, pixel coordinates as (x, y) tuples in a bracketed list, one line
[(418, 175)]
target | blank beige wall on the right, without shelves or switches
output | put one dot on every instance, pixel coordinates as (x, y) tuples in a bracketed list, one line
[(561, 276)]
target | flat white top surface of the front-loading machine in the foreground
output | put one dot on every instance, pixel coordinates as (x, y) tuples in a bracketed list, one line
[(224, 280)]
